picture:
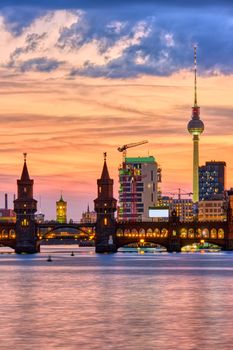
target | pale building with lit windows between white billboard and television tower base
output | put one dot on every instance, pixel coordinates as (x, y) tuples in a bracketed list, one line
[(182, 206)]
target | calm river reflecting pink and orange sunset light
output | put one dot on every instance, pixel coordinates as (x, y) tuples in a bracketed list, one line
[(124, 301)]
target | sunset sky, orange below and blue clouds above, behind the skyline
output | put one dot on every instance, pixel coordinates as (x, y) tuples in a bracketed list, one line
[(79, 78)]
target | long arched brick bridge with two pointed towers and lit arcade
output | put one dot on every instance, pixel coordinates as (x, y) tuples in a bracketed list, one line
[(26, 235)]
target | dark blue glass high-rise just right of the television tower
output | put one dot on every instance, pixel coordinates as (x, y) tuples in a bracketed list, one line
[(212, 180)]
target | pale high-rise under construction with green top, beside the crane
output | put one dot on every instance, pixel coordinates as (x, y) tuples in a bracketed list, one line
[(138, 177)]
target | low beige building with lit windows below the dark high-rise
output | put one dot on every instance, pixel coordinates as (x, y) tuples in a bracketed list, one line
[(212, 210)]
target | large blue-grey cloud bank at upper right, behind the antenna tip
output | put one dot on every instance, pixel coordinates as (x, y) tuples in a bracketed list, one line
[(166, 48)]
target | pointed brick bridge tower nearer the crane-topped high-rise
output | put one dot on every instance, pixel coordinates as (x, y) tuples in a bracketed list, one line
[(105, 207)]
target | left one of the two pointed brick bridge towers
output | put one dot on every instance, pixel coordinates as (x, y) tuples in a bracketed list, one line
[(25, 207)]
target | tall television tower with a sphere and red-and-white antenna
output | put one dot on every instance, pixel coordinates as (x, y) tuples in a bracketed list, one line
[(195, 128)]
